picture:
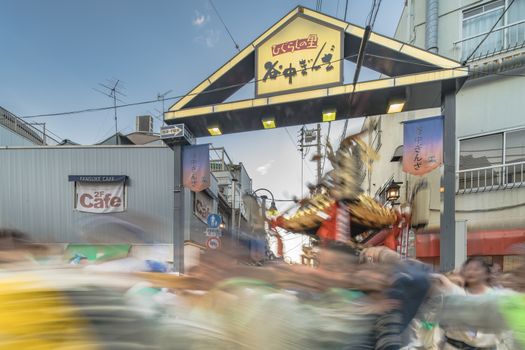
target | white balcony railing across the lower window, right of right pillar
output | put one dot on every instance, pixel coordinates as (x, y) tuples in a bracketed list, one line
[(497, 177)]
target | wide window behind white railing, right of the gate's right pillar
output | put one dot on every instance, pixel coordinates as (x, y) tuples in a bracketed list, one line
[(493, 160)]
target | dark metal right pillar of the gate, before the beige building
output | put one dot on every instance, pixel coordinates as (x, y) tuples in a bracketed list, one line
[(448, 183)]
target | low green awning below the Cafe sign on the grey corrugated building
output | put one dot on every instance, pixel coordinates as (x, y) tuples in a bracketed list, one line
[(97, 252)]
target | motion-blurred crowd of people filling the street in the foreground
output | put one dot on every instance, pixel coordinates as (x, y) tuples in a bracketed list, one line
[(370, 300)]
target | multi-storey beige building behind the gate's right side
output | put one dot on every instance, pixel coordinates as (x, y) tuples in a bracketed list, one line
[(490, 126)]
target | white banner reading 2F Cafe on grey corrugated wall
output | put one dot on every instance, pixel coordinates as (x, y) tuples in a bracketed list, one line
[(100, 197)]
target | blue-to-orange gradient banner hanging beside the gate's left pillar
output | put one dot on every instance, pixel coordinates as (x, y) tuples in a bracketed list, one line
[(196, 167)]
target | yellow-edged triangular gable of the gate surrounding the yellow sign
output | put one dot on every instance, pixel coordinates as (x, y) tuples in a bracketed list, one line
[(213, 91)]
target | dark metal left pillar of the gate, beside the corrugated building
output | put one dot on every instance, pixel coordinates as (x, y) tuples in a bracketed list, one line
[(178, 212)]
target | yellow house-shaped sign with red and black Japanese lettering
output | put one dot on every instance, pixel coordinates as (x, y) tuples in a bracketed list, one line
[(303, 54)]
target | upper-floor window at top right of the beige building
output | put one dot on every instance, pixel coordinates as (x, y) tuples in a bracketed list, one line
[(509, 31)]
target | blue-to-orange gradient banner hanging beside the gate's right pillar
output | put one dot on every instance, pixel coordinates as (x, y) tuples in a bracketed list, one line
[(422, 145)]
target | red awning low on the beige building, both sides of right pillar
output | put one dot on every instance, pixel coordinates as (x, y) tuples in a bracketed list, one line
[(480, 243)]
